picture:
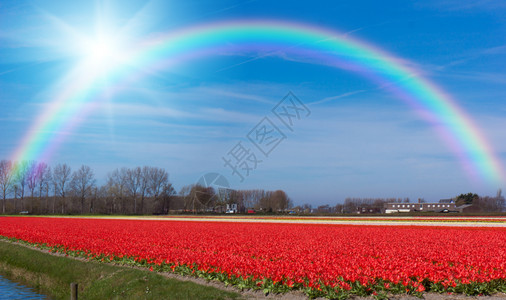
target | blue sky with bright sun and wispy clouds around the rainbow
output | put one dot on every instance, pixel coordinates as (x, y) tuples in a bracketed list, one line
[(360, 140)]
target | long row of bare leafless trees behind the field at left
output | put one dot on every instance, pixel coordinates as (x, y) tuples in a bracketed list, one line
[(37, 188)]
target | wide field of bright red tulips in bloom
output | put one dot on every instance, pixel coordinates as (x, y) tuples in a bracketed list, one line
[(329, 260)]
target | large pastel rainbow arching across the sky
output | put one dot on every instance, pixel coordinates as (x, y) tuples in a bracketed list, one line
[(307, 43)]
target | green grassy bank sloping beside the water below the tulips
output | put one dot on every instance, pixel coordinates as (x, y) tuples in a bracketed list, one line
[(52, 275)]
